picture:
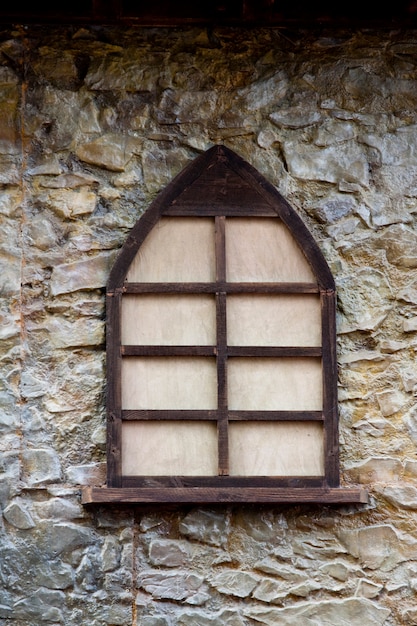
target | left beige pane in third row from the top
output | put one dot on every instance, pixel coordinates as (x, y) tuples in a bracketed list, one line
[(157, 383)]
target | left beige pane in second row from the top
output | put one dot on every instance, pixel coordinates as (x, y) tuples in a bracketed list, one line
[(169, 320)]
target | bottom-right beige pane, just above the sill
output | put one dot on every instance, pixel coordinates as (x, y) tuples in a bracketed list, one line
[(276, 449)]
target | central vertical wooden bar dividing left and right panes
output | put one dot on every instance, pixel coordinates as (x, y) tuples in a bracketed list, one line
[(221, 340)]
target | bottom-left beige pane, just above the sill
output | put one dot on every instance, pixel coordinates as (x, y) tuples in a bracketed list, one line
[(169, 448)]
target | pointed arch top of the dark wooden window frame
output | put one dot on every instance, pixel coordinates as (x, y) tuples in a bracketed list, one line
[(221, 183)]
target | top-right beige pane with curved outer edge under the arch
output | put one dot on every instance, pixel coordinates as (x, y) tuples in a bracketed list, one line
[(263, 249)]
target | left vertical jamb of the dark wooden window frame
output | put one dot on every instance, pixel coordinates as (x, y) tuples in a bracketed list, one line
[(114, 401)]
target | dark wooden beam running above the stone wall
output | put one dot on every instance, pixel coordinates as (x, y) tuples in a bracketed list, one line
[(252, 13)]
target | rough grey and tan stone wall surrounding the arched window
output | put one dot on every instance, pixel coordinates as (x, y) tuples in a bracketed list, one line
[(94, 122)]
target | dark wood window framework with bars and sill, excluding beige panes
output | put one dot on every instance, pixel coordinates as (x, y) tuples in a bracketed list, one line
[(220, 184)]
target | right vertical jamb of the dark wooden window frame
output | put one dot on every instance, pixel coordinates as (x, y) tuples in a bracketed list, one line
[(330, 409)]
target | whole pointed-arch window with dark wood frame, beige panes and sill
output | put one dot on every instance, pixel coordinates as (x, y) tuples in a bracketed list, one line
[(221, 349)]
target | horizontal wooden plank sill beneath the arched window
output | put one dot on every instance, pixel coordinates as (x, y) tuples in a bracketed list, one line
[(212, 495)]
